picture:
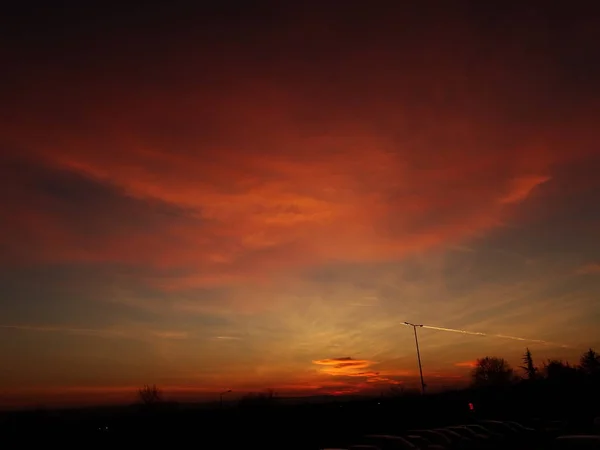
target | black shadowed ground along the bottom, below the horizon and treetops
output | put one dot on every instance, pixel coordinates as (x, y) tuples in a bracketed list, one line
[(329, 425)]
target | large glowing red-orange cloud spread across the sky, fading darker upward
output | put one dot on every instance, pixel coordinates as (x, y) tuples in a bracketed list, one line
[(270, 174)]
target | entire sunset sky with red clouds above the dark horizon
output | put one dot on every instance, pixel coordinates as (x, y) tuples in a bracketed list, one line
[(258, 195)]
